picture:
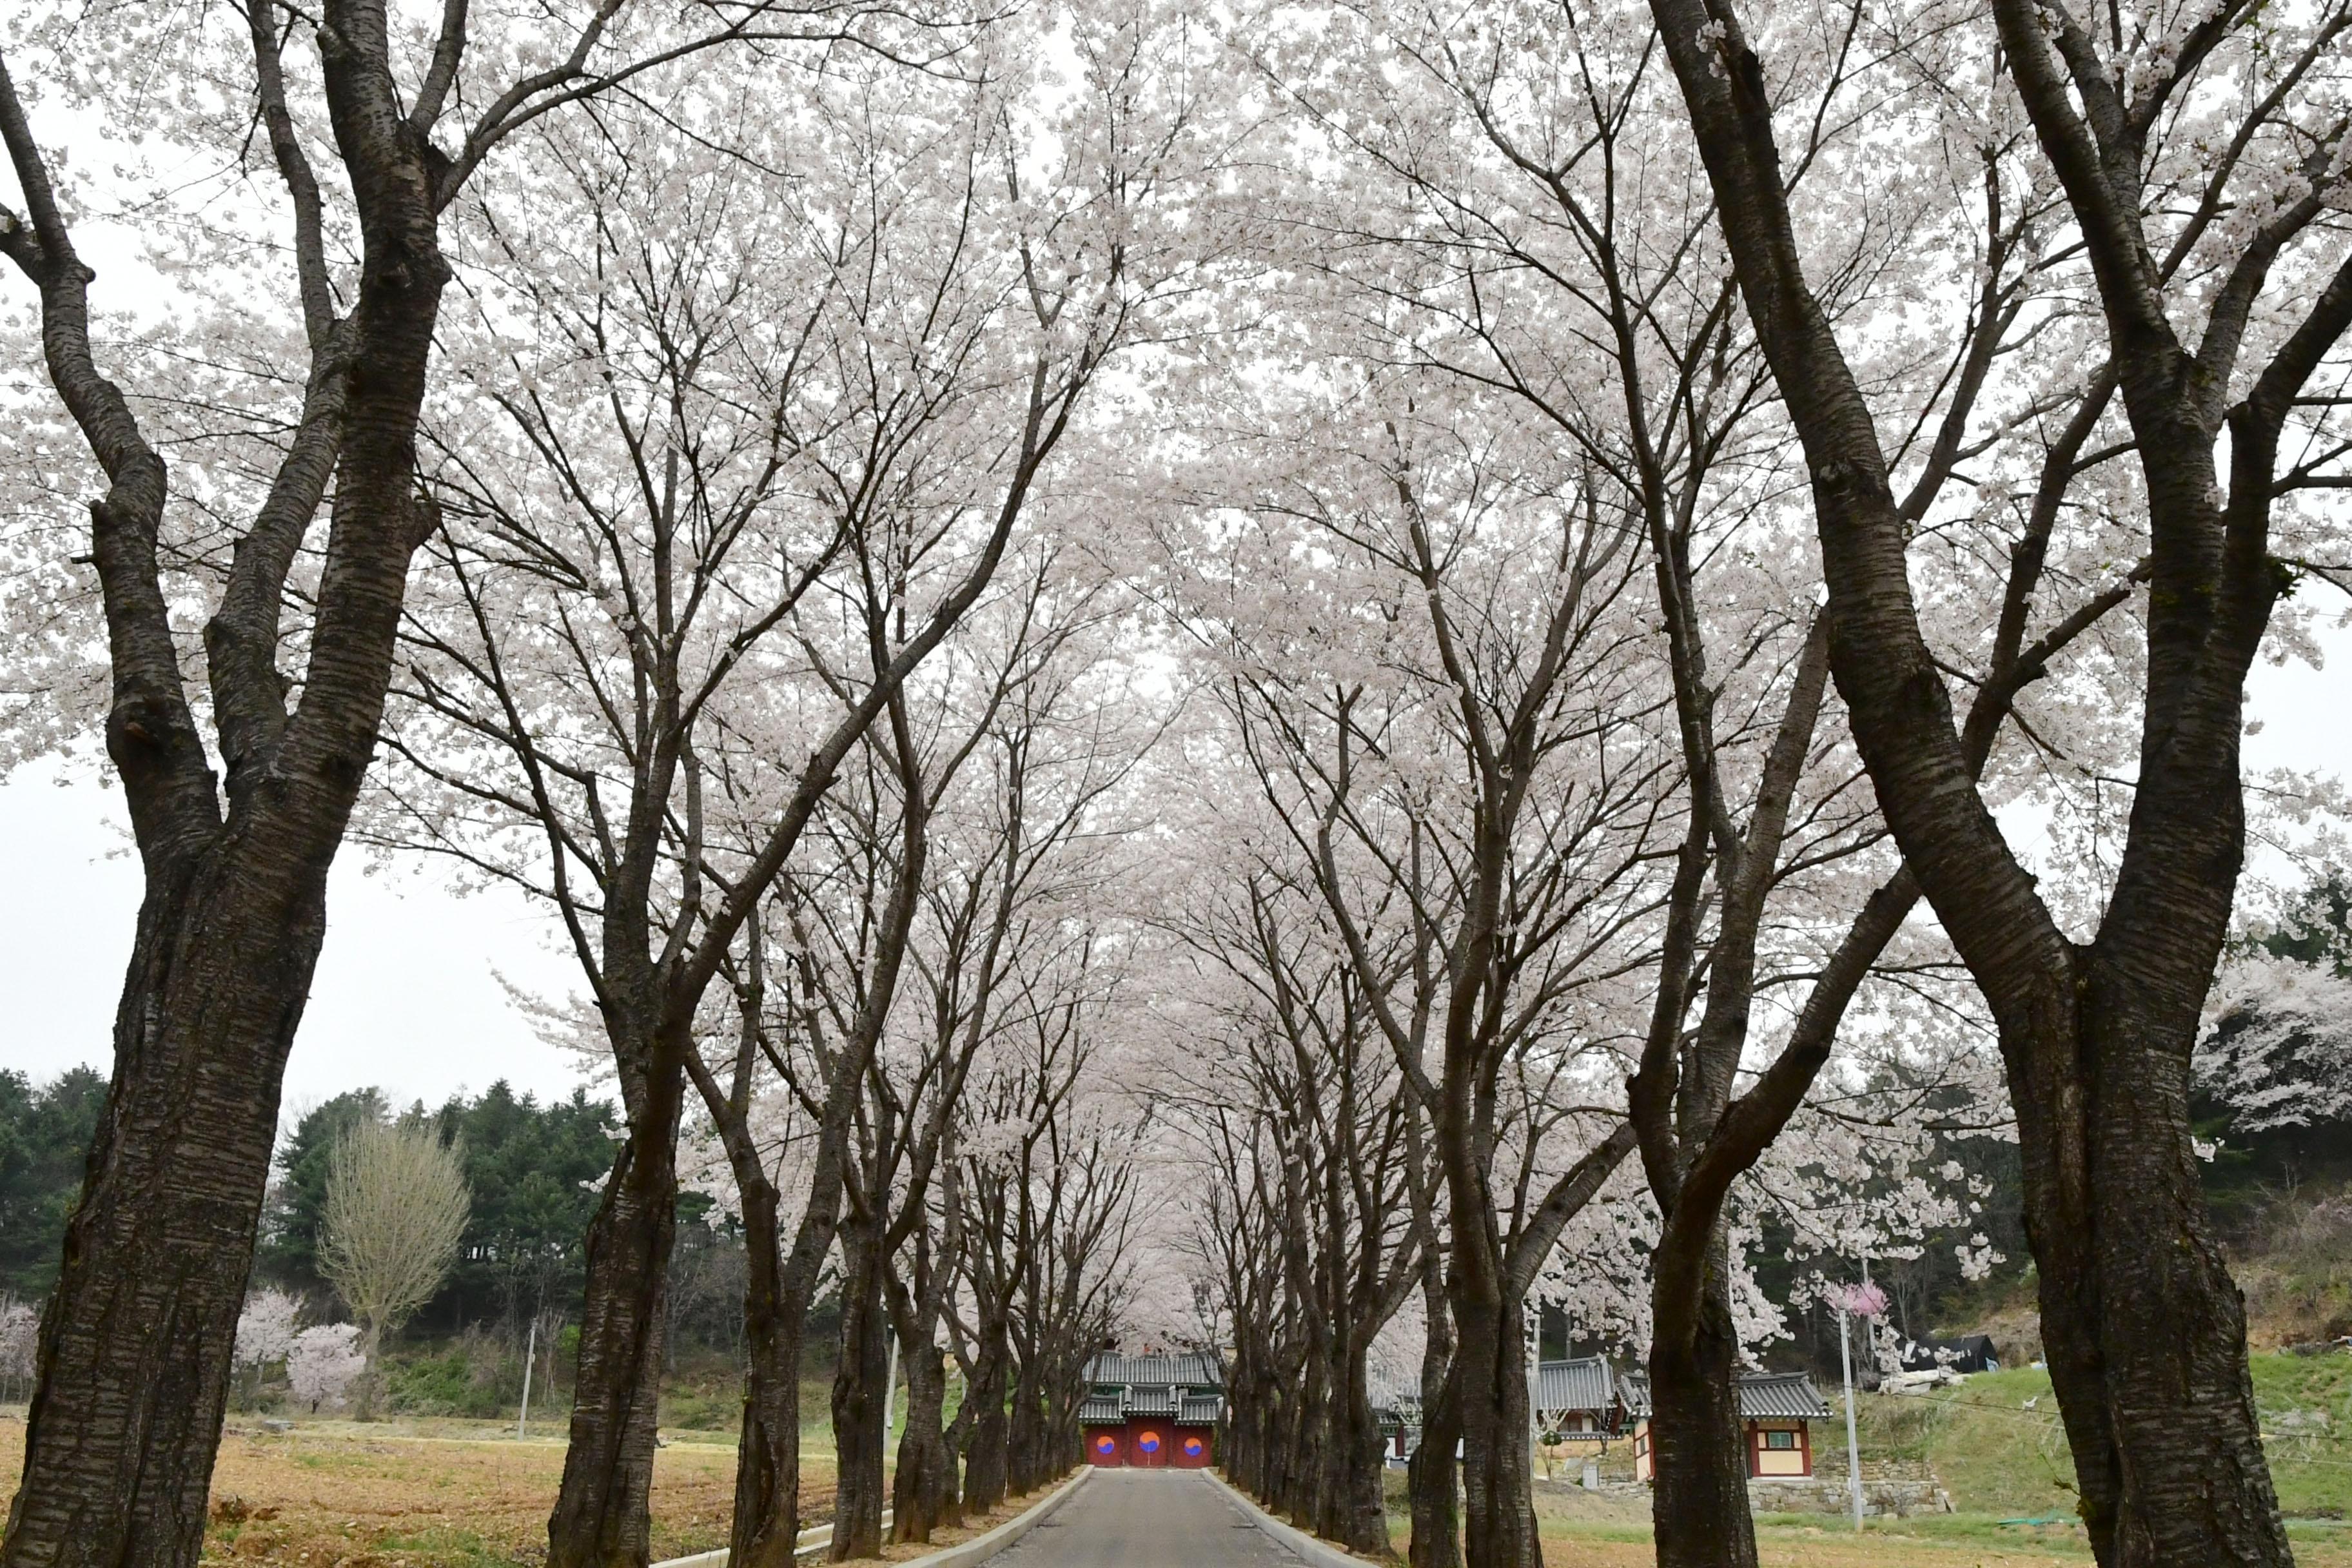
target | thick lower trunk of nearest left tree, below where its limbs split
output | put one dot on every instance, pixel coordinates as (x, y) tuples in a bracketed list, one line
[(135, 1348)]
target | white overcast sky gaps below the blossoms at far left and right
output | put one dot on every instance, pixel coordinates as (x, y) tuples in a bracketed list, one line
[(408, 993)]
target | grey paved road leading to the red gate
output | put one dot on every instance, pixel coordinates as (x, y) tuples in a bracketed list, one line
[(1147, 1520)]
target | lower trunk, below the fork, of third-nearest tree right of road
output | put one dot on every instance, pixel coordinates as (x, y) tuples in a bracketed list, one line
[(1490, 1391)]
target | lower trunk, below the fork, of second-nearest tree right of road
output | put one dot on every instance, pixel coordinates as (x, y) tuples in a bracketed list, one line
[(1699, 1503)]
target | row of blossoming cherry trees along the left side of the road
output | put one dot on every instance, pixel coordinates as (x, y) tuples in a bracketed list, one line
[(697, 398)]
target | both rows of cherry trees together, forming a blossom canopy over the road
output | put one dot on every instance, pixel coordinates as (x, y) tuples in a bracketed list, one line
[(1539, 638)]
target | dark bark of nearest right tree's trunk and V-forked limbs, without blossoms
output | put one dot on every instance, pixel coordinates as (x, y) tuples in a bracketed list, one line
[(2146, 1332)]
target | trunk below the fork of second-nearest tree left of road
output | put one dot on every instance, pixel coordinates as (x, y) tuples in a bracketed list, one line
[(603, 1508)]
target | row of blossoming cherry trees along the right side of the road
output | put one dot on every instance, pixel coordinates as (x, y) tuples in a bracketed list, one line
[(1530, 664)]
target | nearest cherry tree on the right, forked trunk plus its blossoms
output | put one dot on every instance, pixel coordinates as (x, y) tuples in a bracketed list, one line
[(2219, 293)]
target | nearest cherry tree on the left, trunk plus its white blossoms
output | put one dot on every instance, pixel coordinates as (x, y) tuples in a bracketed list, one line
[(342, 140)]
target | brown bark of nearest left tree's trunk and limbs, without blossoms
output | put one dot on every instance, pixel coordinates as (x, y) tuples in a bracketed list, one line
[(135, 1351)]
